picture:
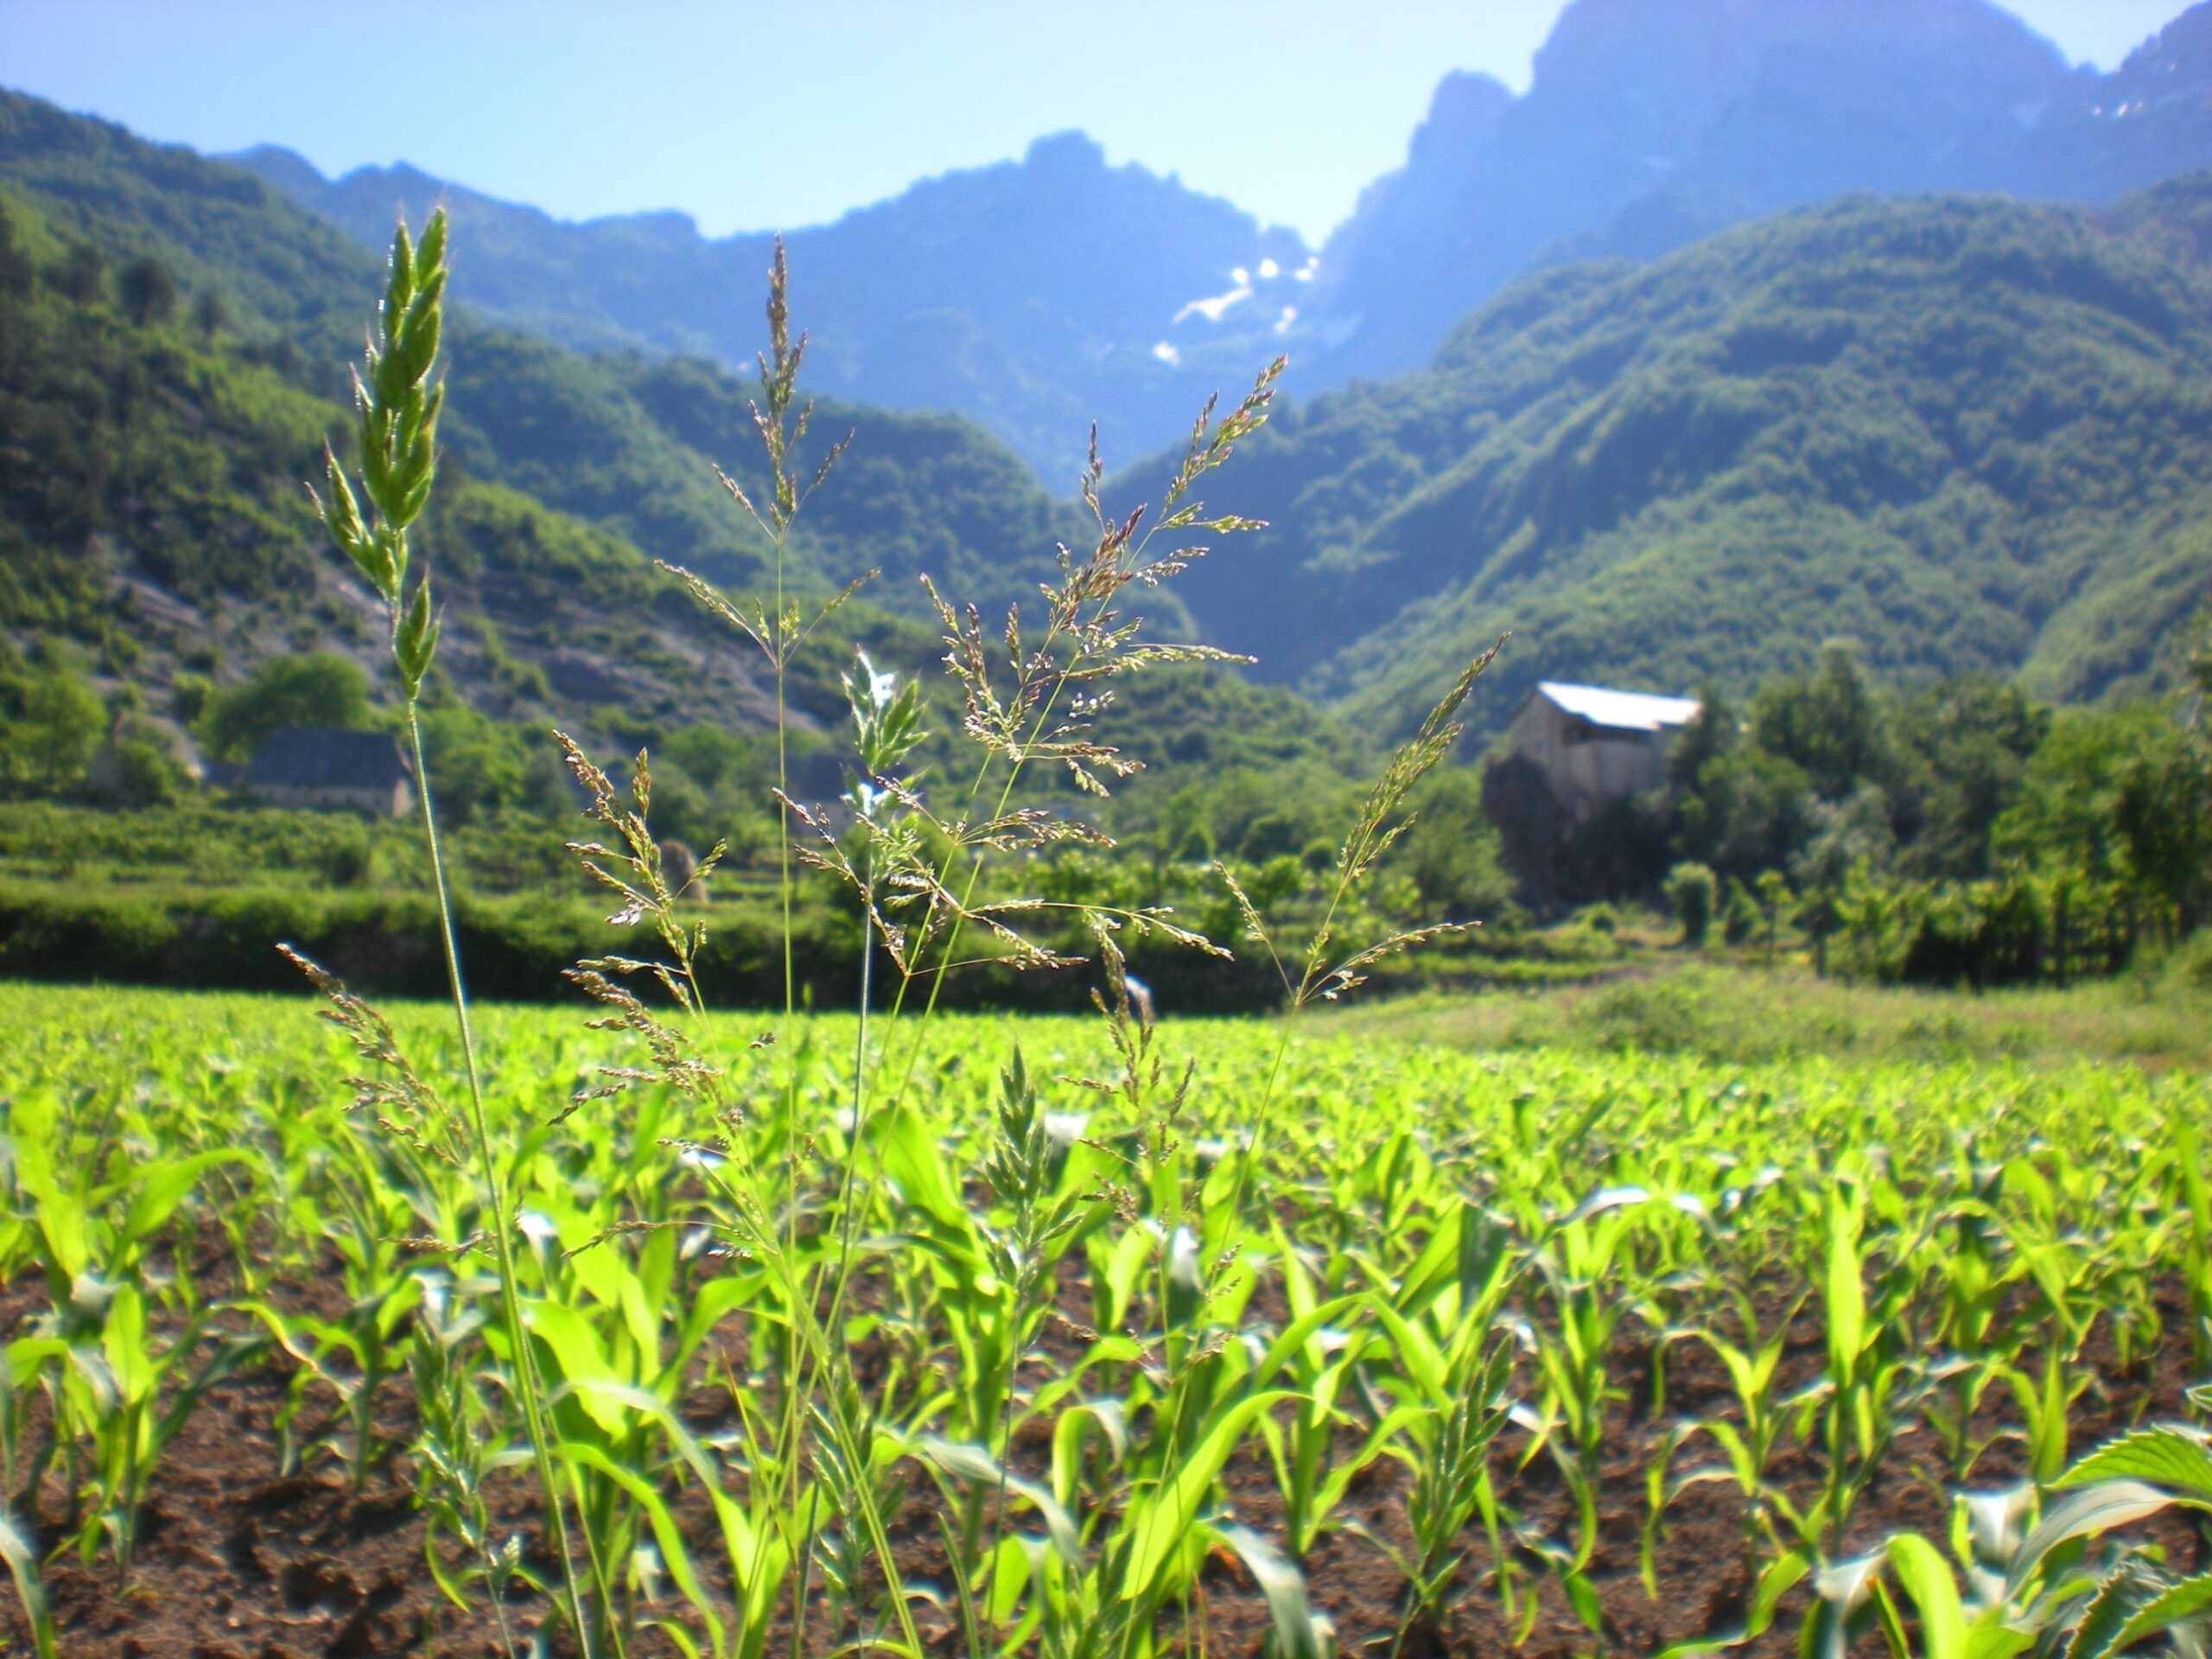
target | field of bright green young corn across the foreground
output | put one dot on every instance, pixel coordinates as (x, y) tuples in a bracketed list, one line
[(1472, 1346)]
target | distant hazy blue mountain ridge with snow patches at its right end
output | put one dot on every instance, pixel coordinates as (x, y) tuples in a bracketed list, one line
[(1034, 295)]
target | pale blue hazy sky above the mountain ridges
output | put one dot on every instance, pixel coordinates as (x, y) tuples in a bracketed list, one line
[(780, 114)]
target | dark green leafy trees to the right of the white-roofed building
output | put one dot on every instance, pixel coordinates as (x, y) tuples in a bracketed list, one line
[(1961, 835)]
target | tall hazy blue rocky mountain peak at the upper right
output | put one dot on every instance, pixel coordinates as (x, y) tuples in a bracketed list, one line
[(1656, 123)]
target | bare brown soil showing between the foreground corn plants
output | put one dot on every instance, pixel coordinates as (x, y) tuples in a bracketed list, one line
[(240, 1561)]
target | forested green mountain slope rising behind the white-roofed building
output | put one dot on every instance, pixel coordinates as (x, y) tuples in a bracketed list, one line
[(1959, 430)]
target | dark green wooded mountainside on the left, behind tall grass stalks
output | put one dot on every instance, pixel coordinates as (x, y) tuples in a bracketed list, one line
[(152, 499)]
